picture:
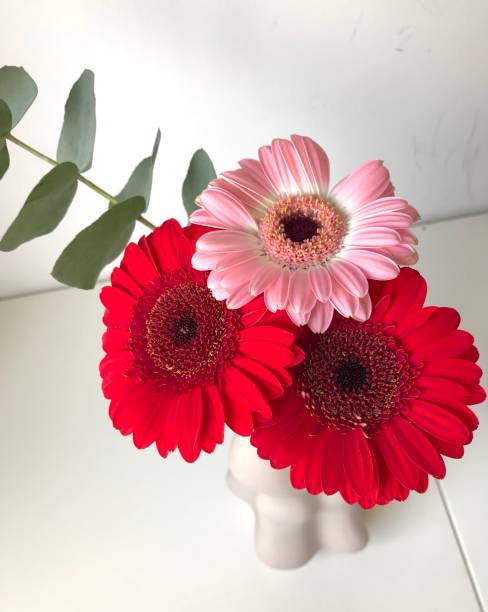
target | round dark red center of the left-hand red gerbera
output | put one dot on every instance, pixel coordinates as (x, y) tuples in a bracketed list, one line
[(180, 334)]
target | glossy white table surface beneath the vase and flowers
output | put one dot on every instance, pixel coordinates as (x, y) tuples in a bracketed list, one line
[(88, 523)]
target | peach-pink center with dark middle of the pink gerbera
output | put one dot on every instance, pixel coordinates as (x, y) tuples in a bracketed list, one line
[(302, 230)]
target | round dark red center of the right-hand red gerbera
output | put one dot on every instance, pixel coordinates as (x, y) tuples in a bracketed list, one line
[(356, 375)]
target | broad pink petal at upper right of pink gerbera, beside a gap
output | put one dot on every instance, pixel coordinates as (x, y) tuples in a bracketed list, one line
[(368, 182)]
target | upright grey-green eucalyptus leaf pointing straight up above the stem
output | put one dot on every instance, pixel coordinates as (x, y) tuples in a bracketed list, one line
[(77, 138)]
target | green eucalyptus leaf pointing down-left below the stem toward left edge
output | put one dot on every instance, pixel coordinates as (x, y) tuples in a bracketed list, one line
[(44, 208)]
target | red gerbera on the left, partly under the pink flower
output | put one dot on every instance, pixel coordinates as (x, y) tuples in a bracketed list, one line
[(179, 363)]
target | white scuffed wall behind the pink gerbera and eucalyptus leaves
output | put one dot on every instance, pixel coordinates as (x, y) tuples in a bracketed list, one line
[(403, 81)]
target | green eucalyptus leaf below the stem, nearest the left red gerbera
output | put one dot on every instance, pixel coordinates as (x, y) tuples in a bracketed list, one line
[(97, 245)]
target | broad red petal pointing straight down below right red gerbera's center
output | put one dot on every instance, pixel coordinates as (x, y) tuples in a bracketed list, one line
[(358, 465)]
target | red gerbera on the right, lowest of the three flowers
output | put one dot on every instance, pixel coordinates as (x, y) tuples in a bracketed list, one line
[(375, 405)]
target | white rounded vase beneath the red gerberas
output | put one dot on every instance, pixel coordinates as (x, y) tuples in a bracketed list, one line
[(291, 525)]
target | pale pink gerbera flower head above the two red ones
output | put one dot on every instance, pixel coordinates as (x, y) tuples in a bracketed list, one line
[(309, 249)]
